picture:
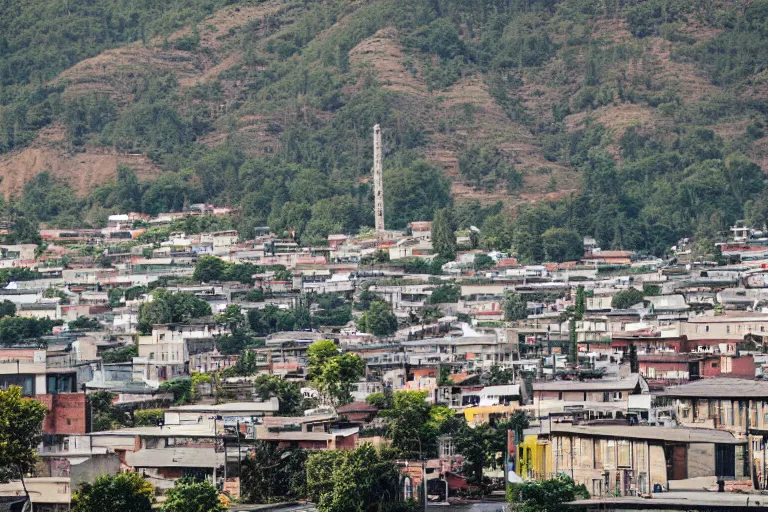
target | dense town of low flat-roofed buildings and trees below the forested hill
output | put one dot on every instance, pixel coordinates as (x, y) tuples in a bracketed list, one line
[(274, 372)]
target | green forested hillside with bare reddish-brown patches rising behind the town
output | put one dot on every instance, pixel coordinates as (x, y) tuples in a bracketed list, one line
[(638, 122)]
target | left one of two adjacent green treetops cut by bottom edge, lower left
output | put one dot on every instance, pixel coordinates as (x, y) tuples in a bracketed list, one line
[(128, 492)]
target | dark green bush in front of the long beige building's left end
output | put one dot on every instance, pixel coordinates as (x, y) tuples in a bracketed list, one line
[(546, 495)]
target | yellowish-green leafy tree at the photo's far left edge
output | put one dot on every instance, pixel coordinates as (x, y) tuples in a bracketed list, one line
[(21, 427)]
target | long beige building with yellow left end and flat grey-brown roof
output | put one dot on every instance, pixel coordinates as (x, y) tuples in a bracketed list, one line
[(626, 460)]
